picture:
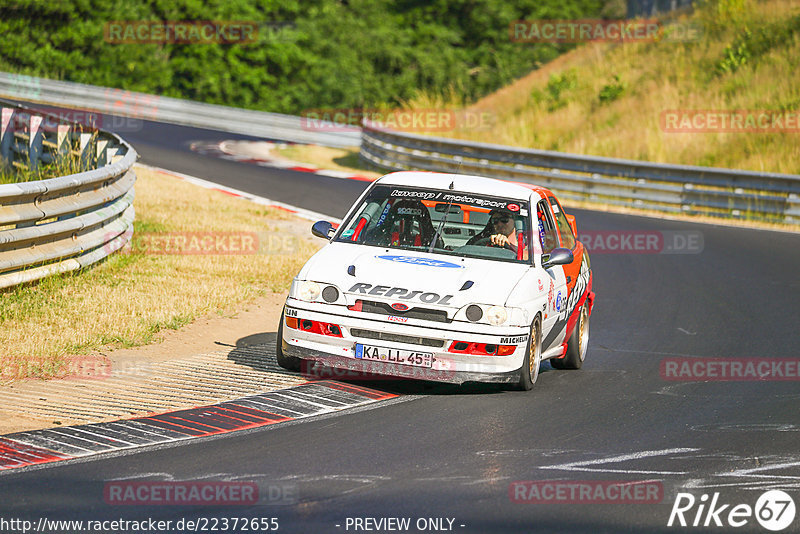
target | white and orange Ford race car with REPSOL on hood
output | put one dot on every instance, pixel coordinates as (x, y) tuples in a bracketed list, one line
[(417, 283)]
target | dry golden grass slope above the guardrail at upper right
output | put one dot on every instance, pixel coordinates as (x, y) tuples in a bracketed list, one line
[(656, 77)]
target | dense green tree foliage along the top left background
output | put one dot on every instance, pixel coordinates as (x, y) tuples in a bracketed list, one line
[(309, 54)]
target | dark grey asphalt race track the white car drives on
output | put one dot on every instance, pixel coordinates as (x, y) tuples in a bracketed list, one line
[(445, 457)]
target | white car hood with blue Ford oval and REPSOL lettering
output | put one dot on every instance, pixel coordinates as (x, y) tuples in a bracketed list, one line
[(412, 277)]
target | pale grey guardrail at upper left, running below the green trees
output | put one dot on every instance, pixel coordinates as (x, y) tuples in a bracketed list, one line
[(171, 110)]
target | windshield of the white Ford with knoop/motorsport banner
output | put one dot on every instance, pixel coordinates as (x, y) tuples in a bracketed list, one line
[(443, 222)]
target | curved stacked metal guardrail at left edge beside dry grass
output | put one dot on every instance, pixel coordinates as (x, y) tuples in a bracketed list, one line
[(66, 223)]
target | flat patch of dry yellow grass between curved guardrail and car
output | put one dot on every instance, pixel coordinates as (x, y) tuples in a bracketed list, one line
[(127, 299)]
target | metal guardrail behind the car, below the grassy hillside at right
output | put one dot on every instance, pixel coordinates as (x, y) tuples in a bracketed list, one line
[(668, 188)]
